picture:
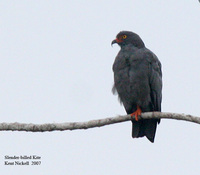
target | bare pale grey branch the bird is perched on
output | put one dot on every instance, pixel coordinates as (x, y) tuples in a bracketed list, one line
[(92, 123)]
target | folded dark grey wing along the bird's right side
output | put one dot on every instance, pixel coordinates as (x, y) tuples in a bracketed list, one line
[(155, 81)]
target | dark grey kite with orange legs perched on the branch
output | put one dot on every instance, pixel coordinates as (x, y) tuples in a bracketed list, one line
[(138, 82)]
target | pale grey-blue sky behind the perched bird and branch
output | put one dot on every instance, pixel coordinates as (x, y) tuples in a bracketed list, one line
[(56, 66)]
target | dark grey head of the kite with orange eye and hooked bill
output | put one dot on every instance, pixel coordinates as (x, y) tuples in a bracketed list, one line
[(126, 37)]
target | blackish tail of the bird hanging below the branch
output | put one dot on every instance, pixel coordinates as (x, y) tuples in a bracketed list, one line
[(145, 127)]
